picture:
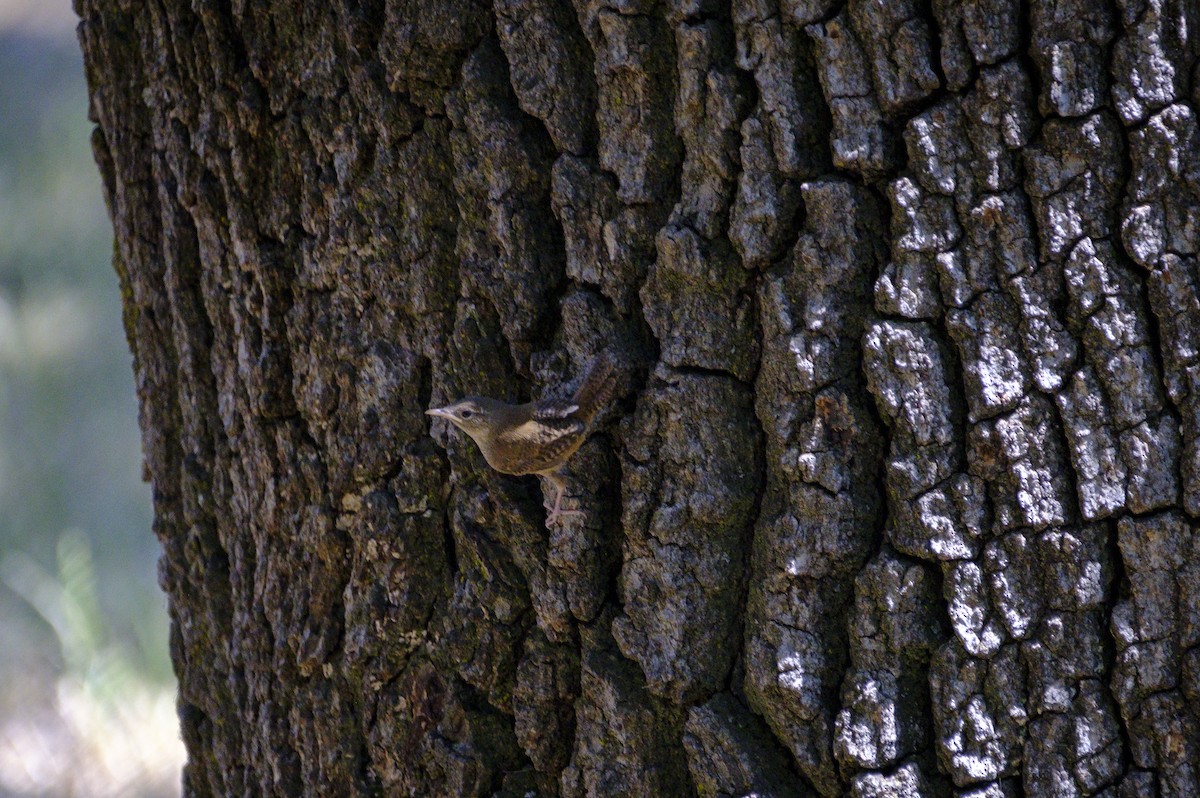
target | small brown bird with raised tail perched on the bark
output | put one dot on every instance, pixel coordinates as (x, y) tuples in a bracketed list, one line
[(538, 437)]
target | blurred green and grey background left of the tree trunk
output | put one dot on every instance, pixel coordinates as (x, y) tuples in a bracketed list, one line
[(87, 695)]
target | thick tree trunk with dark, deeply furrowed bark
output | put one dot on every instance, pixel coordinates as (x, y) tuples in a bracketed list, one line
[(902, 493)]
